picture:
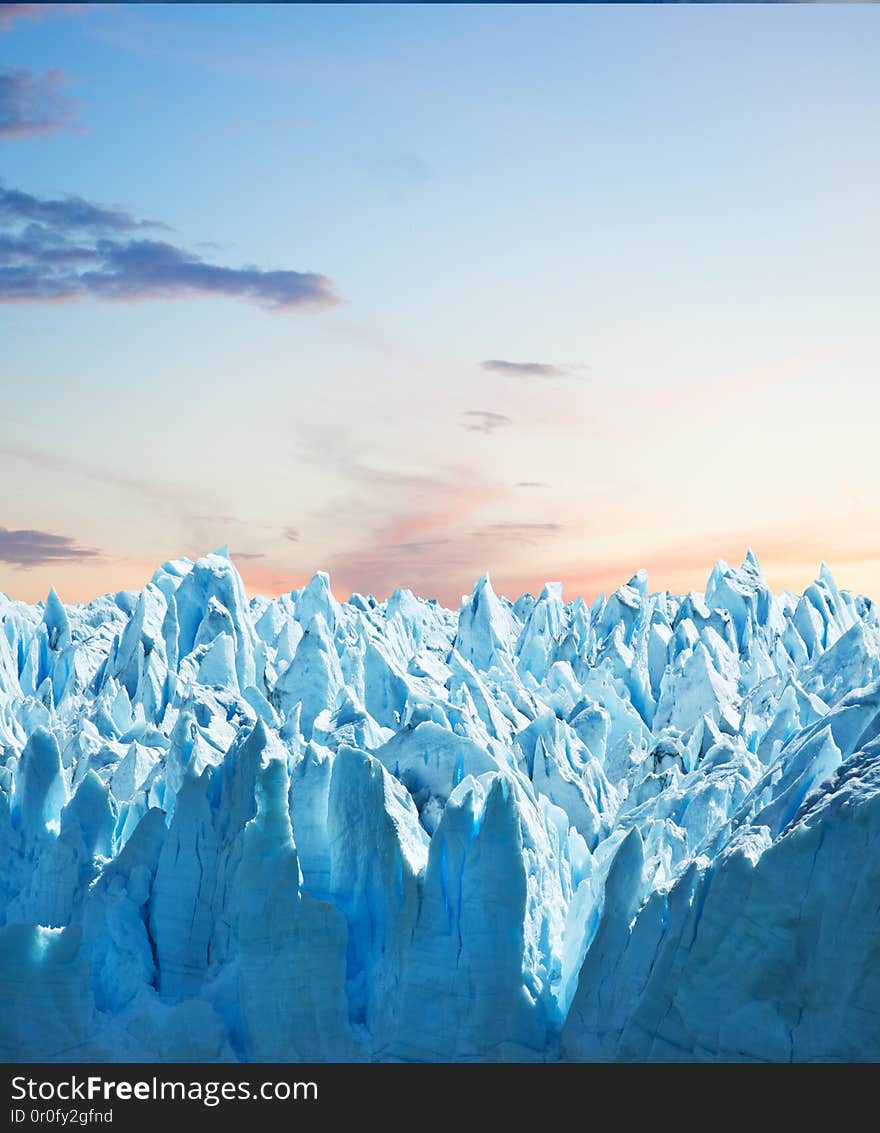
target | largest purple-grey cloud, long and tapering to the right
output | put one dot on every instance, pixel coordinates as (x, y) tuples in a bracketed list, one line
[(70, 249)]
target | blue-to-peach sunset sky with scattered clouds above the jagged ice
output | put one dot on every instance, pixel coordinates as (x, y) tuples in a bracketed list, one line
[(408, 294)]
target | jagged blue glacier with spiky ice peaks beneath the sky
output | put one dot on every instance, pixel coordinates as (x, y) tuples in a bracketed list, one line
[(304, 830)]
